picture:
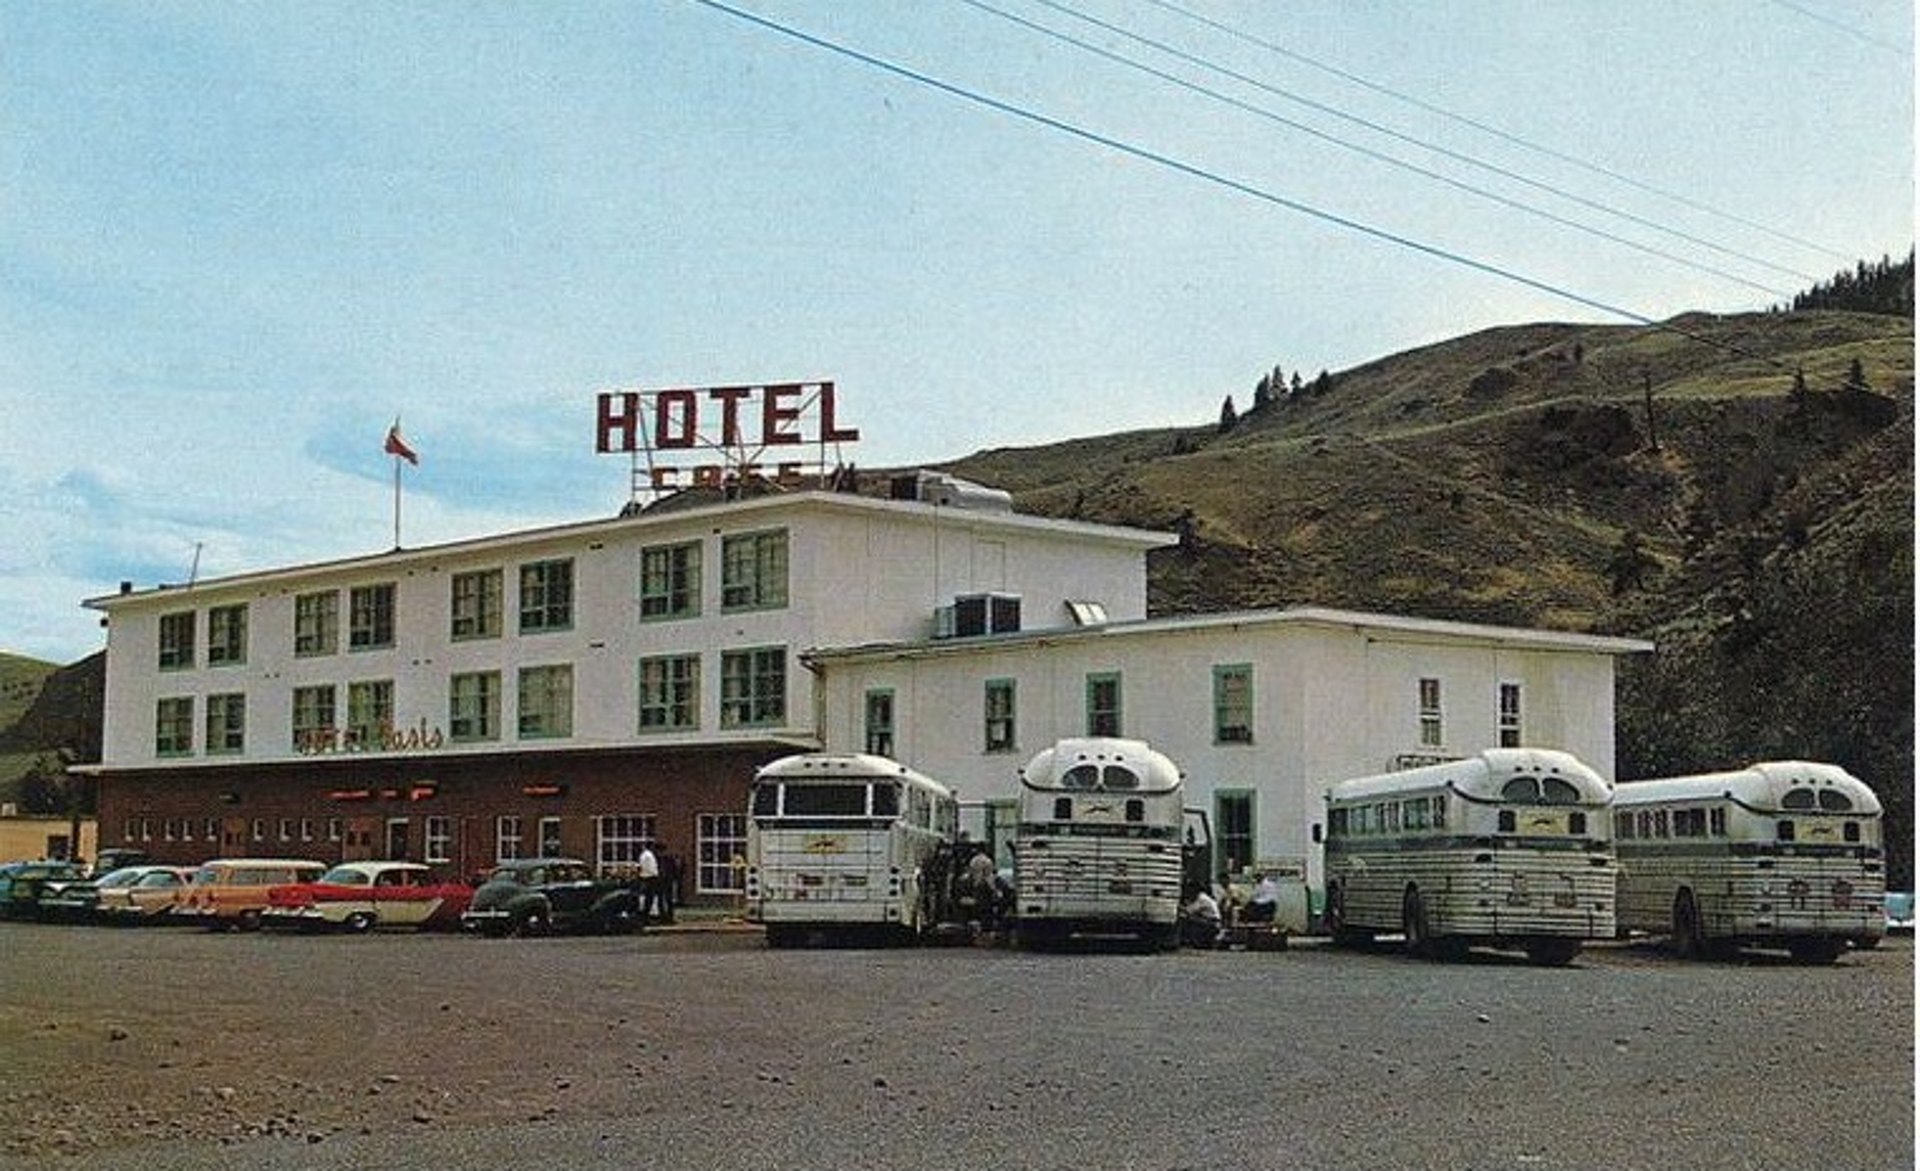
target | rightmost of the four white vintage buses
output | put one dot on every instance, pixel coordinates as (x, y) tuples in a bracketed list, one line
[(1781, 855)]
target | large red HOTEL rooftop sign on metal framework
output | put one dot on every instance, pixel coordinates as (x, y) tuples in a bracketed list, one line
[(723, 435)]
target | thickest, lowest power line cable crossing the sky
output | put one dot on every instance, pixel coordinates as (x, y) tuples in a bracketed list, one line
[(1218, 179)]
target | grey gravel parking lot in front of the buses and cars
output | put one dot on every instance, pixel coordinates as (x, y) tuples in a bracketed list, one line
[(702, 1049)]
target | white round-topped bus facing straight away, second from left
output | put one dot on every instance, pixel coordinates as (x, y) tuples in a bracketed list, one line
[(1099, 849)]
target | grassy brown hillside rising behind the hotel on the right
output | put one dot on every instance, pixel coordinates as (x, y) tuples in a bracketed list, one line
[(1729, 494)]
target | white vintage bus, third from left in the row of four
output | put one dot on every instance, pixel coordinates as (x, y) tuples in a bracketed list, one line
[(1502, 849)]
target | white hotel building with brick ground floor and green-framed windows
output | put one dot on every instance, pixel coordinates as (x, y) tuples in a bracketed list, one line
[(587, 688)]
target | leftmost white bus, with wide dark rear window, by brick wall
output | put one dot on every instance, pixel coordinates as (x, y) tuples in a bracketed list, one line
[(838, 844)]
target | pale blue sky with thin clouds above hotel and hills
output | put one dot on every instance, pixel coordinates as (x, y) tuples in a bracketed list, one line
[(239, 241)]
